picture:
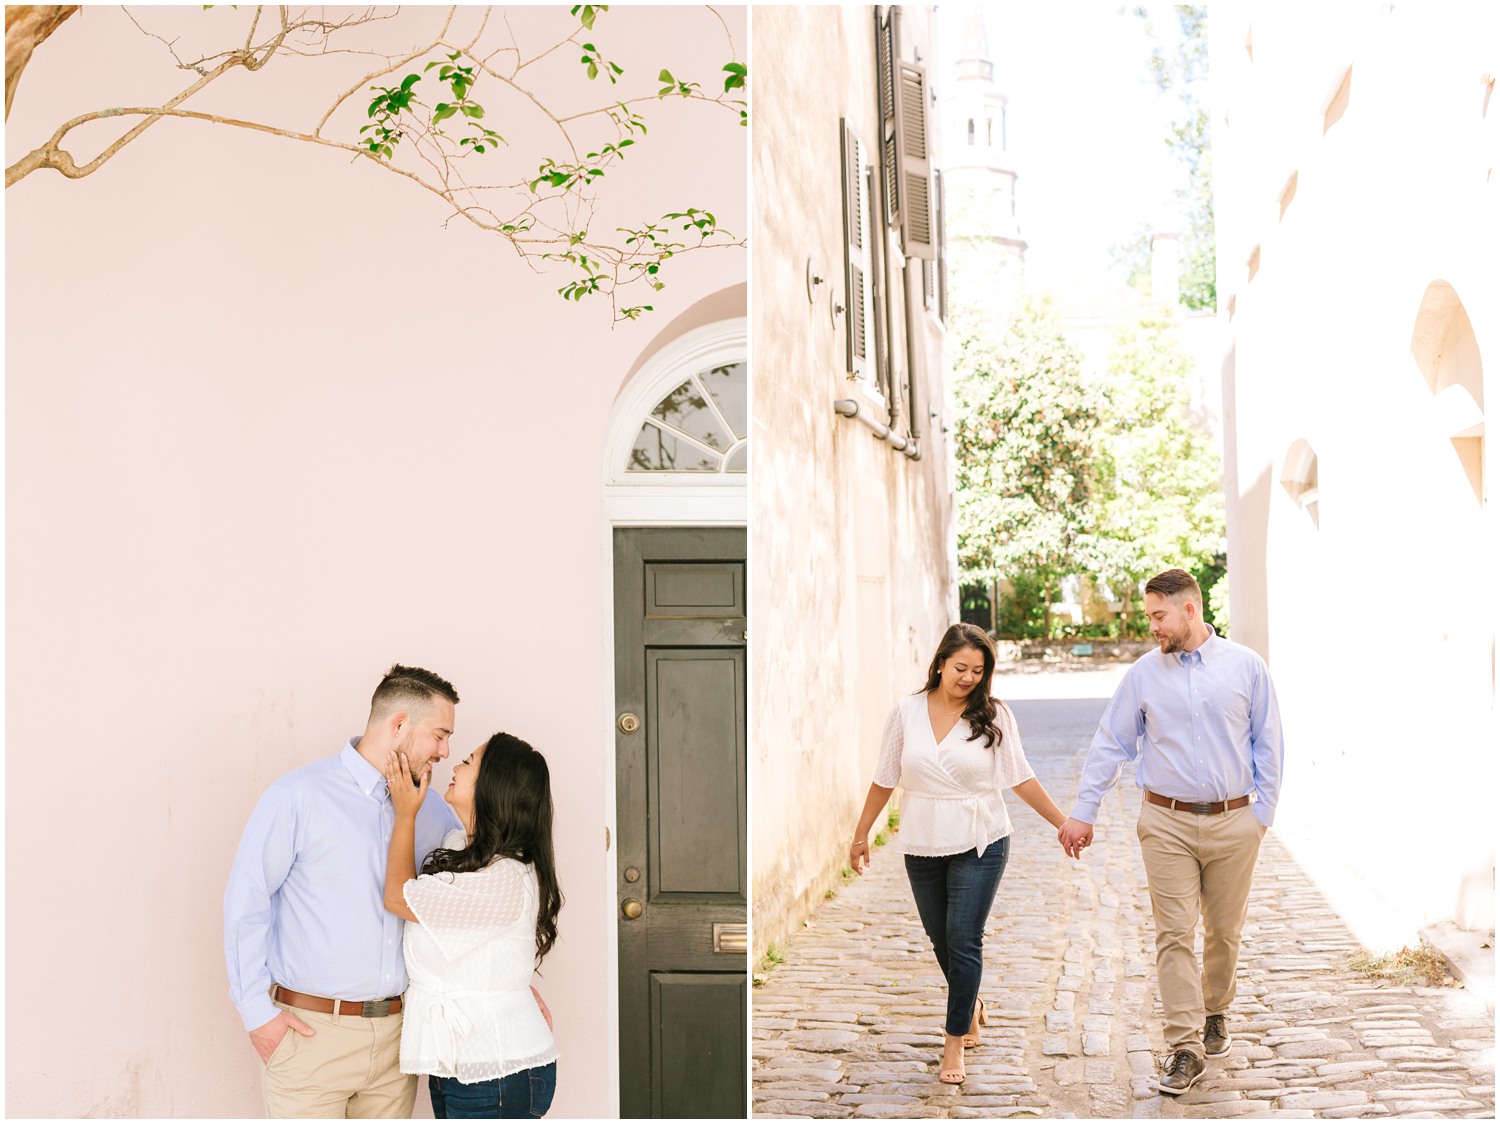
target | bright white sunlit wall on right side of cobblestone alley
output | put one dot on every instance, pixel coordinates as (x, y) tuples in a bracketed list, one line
[(1381, 622)]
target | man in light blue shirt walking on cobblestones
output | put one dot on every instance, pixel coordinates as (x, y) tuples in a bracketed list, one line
[(1201, 720)]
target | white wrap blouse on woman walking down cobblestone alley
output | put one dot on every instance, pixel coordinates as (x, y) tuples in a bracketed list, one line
[(953, 787)]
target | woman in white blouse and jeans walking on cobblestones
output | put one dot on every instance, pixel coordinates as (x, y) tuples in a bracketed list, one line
[(952, 748)]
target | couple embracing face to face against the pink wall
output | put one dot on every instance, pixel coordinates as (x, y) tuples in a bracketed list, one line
[(352, 972)]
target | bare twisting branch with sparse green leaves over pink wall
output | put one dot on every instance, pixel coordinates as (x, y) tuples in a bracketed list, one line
[(434, 116)]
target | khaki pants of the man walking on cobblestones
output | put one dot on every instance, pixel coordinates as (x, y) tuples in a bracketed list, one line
[(1198, 867)]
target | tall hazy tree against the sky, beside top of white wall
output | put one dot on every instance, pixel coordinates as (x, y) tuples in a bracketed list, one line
[(1183, 70)]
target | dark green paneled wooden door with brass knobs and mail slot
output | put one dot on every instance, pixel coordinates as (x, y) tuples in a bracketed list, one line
[(680, 858)]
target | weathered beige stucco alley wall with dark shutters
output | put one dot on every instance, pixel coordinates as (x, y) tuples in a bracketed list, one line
[(853, 577)]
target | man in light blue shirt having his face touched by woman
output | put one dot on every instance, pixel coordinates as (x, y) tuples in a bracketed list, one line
[(314, 957)]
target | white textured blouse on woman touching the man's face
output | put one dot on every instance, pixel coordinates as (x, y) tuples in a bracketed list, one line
[(469, 1011)]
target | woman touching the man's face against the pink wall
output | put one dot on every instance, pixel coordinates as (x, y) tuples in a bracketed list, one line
[(481, 919)]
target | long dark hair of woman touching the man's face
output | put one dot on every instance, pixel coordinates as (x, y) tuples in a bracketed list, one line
[(512, 820)]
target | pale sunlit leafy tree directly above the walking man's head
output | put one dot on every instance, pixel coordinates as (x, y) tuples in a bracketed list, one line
[(1160, 499)]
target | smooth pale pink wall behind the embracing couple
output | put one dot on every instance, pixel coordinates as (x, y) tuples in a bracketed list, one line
[(262, 443)]
